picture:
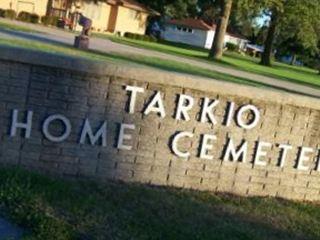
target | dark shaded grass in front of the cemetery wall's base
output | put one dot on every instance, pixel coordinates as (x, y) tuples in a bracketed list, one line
[(51, 208)]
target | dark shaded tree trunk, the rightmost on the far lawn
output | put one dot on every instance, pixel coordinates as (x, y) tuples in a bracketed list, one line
[(268, 44)]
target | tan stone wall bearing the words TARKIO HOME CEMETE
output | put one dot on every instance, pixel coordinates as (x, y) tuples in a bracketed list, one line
[(278, 156)]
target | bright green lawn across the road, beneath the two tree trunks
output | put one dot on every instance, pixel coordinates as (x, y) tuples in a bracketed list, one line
[(280, 71)]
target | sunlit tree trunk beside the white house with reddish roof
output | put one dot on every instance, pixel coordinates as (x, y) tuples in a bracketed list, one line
[(218, 42)]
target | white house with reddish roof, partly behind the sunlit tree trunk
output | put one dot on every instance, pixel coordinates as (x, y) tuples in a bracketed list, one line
[(198, 33)]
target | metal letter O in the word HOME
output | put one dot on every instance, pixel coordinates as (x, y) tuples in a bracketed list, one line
[(49, 120)]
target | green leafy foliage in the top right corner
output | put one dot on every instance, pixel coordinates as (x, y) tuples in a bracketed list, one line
[(296, 22)]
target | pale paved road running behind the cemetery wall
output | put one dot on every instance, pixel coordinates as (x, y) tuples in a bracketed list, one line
[(53, 35)]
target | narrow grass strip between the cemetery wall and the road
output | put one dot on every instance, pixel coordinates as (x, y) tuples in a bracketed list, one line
[(128, 59)]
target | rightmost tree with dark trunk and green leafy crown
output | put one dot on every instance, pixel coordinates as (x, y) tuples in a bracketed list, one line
[(292, 19)]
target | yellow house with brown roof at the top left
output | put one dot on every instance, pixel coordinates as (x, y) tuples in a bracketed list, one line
[(115, 16)]
